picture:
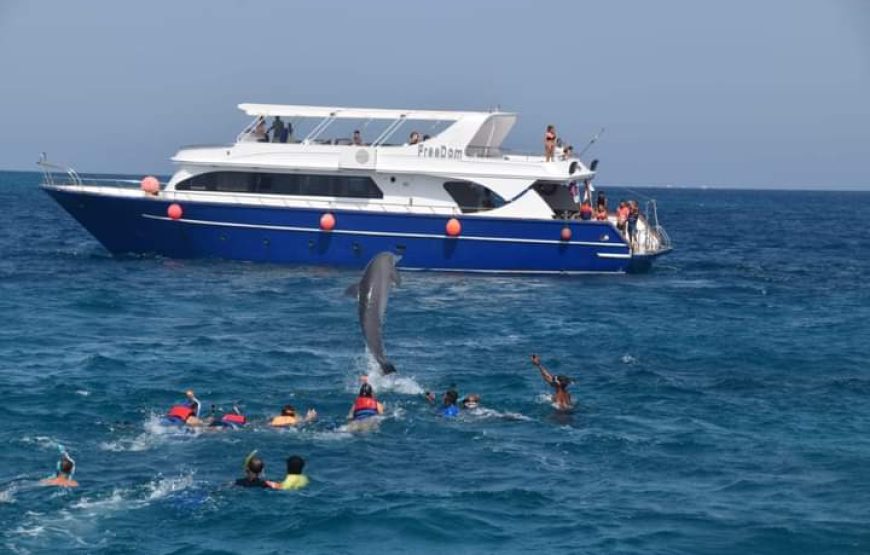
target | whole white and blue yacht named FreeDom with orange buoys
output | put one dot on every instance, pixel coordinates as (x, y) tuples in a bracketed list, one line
[(448, 198)]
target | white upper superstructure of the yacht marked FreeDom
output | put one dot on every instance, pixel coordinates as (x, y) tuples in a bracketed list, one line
[(410, 176)]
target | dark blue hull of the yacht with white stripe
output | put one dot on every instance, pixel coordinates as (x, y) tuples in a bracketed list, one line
[(292, 235)]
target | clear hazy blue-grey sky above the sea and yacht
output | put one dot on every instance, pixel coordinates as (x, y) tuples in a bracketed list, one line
[(760, 93)]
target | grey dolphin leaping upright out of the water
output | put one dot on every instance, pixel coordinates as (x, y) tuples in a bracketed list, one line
[(373, 292)]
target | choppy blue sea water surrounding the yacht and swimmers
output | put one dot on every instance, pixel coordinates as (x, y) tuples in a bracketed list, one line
[(723, 400)]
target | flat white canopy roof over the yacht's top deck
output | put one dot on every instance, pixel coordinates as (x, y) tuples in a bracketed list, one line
[(337, 112)]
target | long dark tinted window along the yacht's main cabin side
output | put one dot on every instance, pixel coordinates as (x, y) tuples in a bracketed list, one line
[(283, 184)]
